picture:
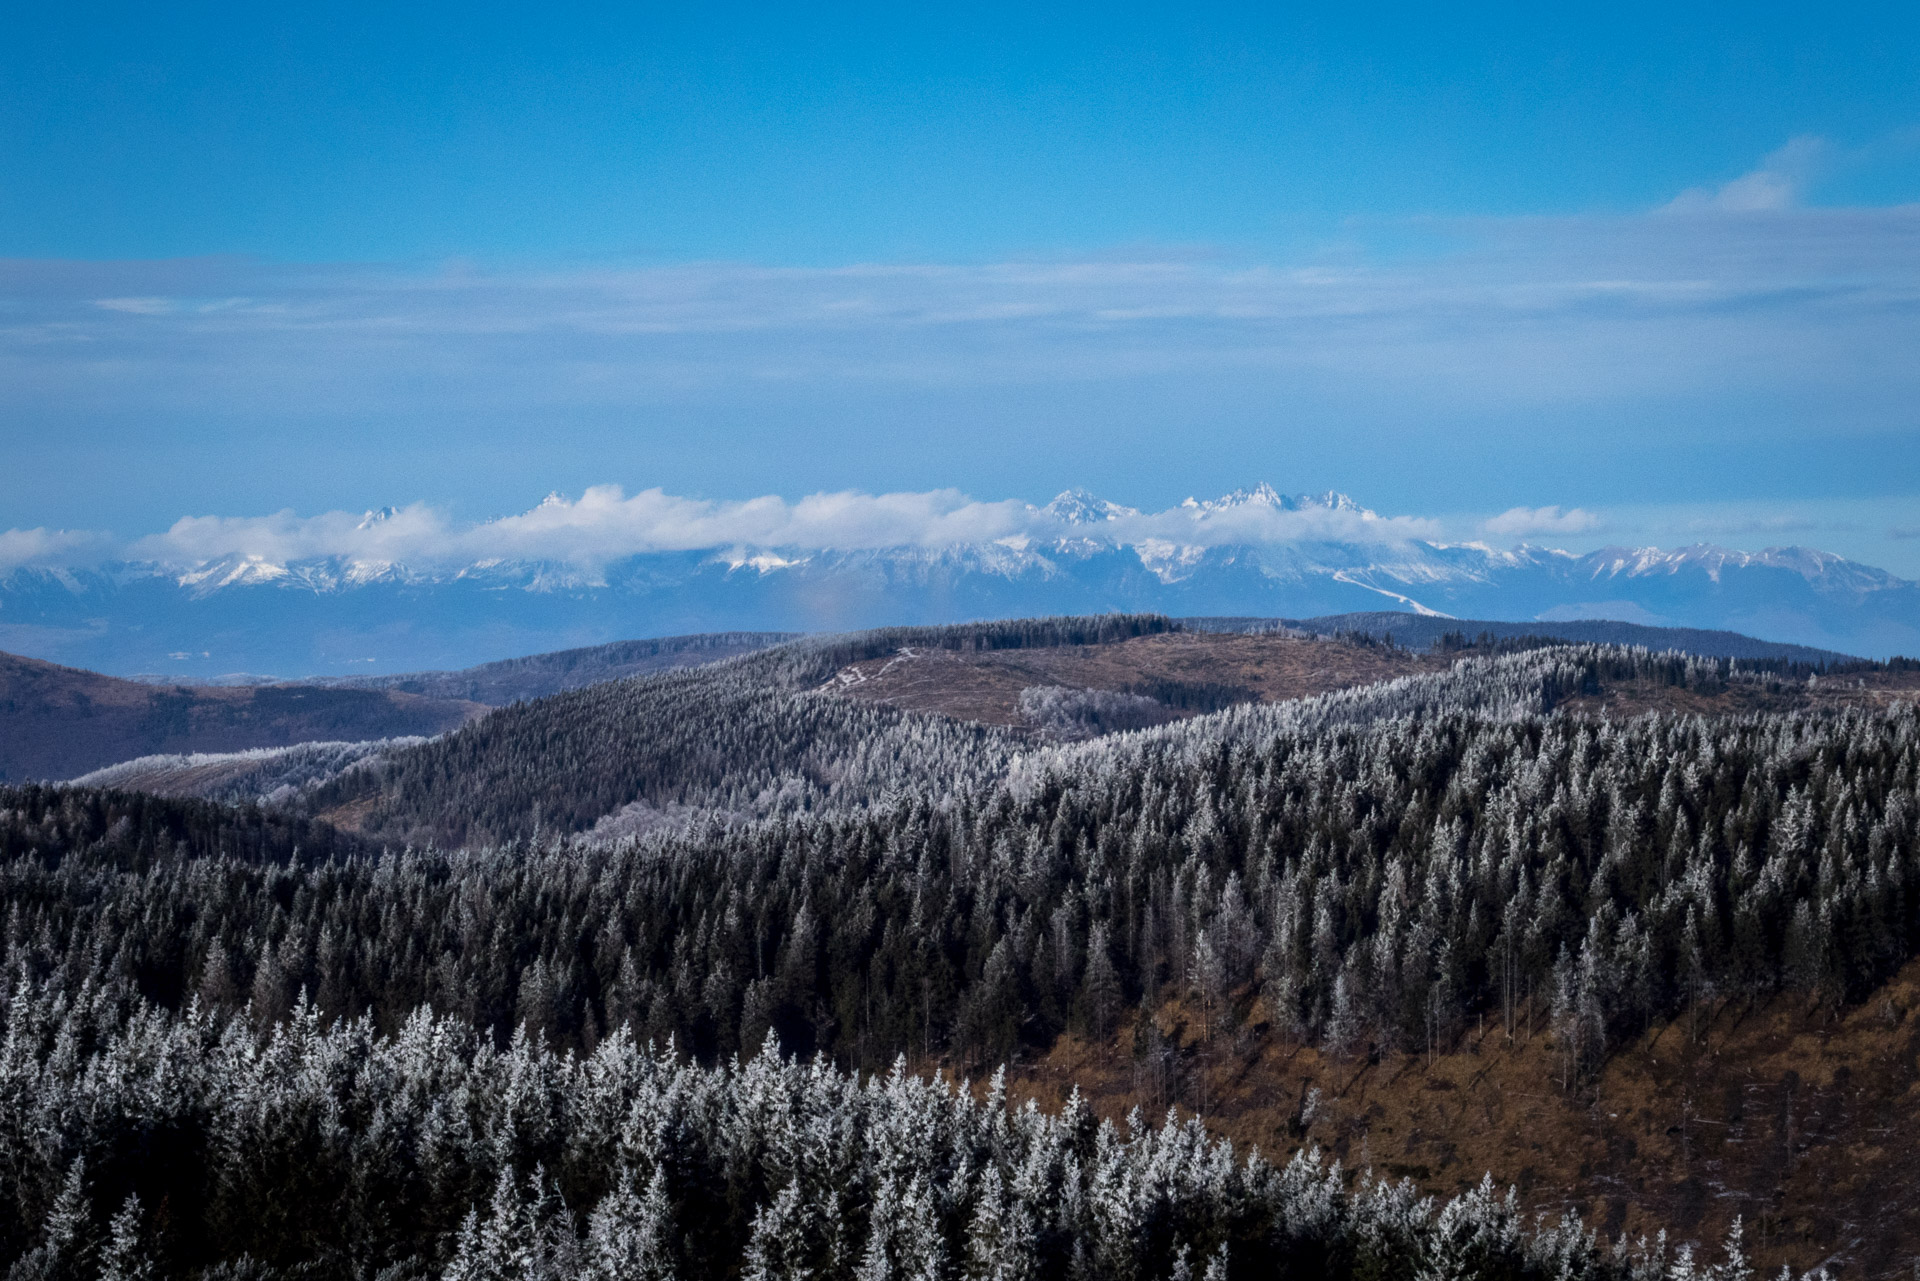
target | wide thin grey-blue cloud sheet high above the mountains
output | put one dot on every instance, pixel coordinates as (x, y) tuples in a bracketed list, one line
[(1508, 314)]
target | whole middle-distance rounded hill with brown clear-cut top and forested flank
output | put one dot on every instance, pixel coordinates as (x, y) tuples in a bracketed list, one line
[(828, 721)]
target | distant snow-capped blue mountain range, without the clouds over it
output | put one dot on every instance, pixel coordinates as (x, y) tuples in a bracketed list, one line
[(1253, 552)]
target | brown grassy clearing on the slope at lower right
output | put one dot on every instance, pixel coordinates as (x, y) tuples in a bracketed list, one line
[(1802, 1119)]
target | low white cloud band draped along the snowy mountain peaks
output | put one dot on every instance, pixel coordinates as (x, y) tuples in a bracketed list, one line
[(604, 525)]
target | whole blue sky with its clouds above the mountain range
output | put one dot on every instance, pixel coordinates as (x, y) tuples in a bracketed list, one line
[(1652, 266)]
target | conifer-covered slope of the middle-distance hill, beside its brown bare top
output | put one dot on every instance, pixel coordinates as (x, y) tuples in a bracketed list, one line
[(744, 737)]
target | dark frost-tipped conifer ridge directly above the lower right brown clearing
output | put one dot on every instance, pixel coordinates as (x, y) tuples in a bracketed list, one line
[(1364, 869)]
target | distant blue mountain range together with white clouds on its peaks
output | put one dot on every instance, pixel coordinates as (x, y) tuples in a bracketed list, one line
[(414, 589)]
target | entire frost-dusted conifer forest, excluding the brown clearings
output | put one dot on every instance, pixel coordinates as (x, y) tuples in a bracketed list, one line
[(468, 1036)]
